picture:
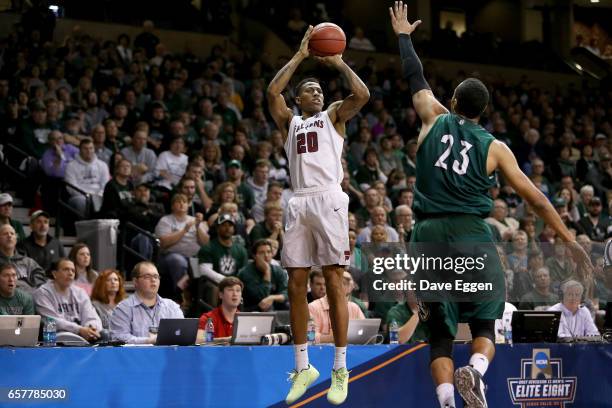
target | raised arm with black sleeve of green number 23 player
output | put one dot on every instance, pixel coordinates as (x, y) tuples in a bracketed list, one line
[(425, 103)]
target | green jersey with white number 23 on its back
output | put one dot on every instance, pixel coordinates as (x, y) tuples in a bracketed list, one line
[(451, 169)]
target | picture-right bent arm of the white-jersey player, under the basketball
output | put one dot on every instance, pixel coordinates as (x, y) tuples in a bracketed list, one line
[(341, 111)]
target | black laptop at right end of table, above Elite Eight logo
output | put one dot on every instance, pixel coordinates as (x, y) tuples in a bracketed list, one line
[(532, 326)]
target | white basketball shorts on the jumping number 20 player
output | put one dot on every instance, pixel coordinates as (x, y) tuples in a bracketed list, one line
[(316, 229)]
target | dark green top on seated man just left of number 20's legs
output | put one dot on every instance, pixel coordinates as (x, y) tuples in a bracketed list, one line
[(256, 289)]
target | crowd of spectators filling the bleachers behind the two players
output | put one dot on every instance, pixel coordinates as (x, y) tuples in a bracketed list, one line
[(185, 149)]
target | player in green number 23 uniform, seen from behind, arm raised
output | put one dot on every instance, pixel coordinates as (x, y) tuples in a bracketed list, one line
[(456, 161)]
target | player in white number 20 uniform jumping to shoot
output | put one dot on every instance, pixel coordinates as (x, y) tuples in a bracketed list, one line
[(317, 215)]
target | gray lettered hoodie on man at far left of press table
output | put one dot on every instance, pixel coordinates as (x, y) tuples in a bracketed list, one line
[(71, 310)]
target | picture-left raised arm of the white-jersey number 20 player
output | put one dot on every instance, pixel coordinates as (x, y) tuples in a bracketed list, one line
[(276, 102)]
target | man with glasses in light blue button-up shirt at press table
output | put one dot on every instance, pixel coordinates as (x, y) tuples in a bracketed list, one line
[(135, 320)]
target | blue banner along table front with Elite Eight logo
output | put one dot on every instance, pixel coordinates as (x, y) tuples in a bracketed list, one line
[(523, 375)]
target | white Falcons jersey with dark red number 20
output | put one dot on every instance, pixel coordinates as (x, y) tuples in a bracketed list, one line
[(314, 150)]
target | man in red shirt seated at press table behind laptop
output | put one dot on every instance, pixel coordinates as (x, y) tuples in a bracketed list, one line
[(230, 298)]
